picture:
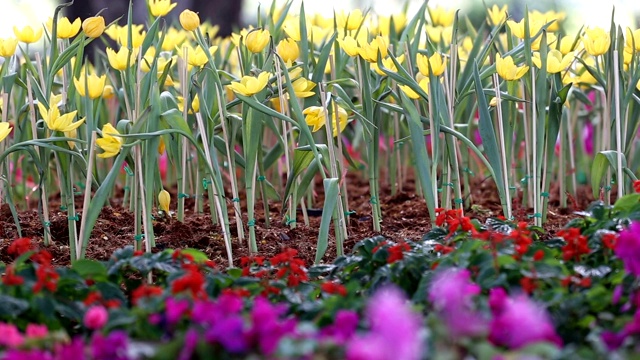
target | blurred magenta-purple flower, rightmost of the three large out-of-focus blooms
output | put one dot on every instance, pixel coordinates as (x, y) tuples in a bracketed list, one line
[(519, 322)]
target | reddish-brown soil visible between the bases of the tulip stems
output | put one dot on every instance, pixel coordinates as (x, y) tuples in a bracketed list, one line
[(405, 216)]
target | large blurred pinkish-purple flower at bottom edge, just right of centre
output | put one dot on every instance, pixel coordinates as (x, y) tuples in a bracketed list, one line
[(395, 330)]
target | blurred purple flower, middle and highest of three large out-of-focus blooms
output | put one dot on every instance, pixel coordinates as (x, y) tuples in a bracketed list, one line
[(452, 293)]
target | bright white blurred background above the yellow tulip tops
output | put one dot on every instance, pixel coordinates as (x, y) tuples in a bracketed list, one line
[(233, 12)]
